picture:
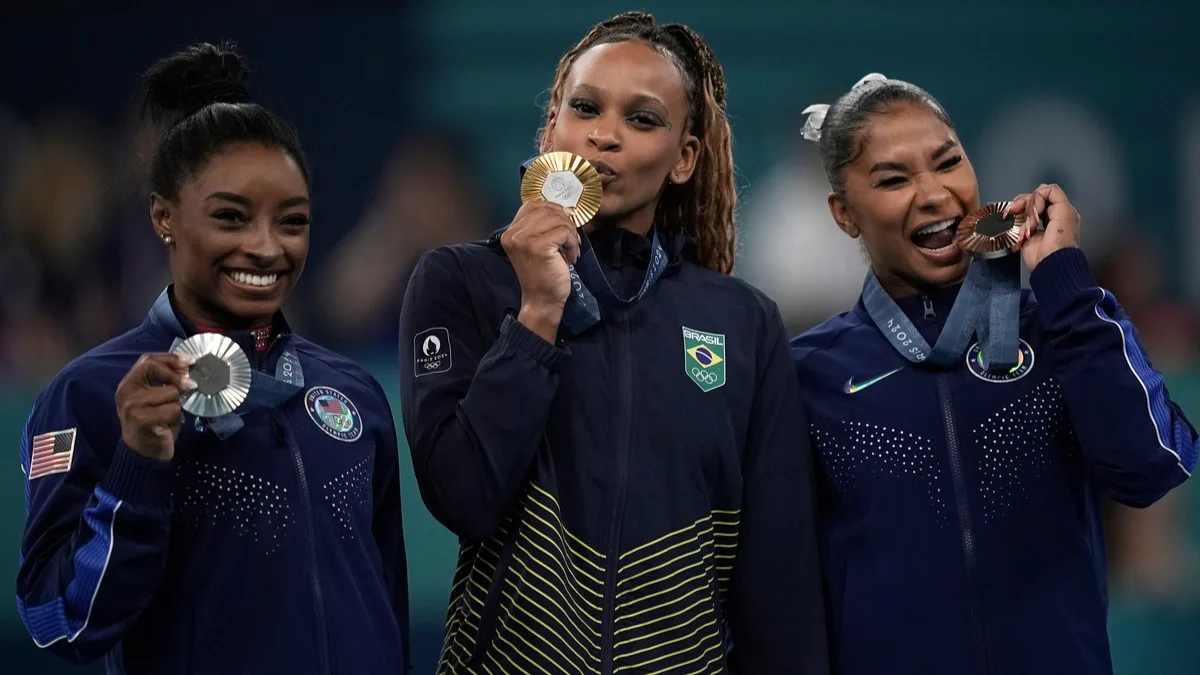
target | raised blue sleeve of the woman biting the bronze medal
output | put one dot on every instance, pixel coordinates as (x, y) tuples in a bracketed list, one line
[(1138, 443)]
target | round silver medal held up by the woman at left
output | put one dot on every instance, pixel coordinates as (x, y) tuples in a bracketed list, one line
[(221, 373)]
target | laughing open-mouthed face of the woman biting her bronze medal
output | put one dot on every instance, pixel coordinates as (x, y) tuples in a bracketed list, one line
[(905, 195)]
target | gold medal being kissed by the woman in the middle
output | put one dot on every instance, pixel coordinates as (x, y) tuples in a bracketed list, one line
[(566, 180)]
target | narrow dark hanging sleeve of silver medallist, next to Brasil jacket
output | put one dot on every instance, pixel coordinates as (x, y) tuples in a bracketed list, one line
[(388, 525)]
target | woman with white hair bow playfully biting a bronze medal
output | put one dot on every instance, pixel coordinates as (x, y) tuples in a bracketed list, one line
[(962, 479)]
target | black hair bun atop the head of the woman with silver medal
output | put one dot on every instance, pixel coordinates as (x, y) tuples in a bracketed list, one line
[(193, 79)]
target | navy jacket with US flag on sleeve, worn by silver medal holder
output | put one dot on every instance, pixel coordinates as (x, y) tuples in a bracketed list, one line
[(277, 551)]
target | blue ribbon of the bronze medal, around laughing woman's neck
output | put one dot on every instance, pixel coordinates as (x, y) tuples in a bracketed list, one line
[(988, 307)]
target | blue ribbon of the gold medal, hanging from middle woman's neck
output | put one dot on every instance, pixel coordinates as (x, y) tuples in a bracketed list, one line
[(583, 310)]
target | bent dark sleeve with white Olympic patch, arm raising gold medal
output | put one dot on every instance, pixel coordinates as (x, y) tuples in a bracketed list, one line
[(475, 411)]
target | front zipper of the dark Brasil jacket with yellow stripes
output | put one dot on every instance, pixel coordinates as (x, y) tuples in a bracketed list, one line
[(625, 398)]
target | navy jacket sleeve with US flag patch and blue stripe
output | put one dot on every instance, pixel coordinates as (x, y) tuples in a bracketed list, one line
[(98, 519)]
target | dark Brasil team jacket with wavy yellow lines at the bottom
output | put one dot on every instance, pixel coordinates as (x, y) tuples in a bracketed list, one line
[(637, 499)]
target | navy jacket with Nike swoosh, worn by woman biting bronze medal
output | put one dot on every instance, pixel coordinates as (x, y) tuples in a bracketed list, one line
[(962, 510)]
